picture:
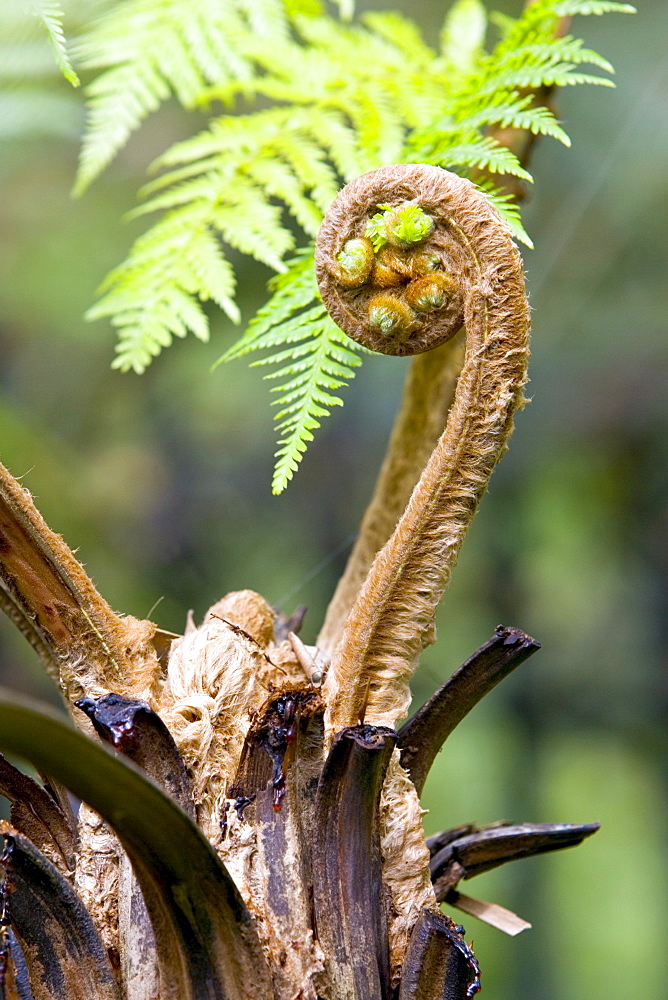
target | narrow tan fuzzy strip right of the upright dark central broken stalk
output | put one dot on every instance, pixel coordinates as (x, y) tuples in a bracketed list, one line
[(405, 859)]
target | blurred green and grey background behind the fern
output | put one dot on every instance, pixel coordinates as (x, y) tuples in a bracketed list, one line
[(163, 484)]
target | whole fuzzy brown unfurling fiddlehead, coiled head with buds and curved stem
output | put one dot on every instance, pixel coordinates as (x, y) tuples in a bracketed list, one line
[(475, 277)]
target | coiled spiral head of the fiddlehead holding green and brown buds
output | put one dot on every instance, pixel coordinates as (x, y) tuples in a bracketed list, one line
[(386, 255)]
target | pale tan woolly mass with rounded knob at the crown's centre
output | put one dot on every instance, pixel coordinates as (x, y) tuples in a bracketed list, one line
[(219, 679)]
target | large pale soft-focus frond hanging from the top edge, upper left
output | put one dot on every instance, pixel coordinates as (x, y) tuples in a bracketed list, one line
[(150, 49)]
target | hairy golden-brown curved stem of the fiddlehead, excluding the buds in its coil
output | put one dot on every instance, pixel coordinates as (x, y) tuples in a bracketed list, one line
[(392, 619)]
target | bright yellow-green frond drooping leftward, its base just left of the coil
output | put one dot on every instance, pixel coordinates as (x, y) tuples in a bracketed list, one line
[(223, 188)]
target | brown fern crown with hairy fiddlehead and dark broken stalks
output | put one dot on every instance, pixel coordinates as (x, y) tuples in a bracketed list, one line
[(252, 827)]
